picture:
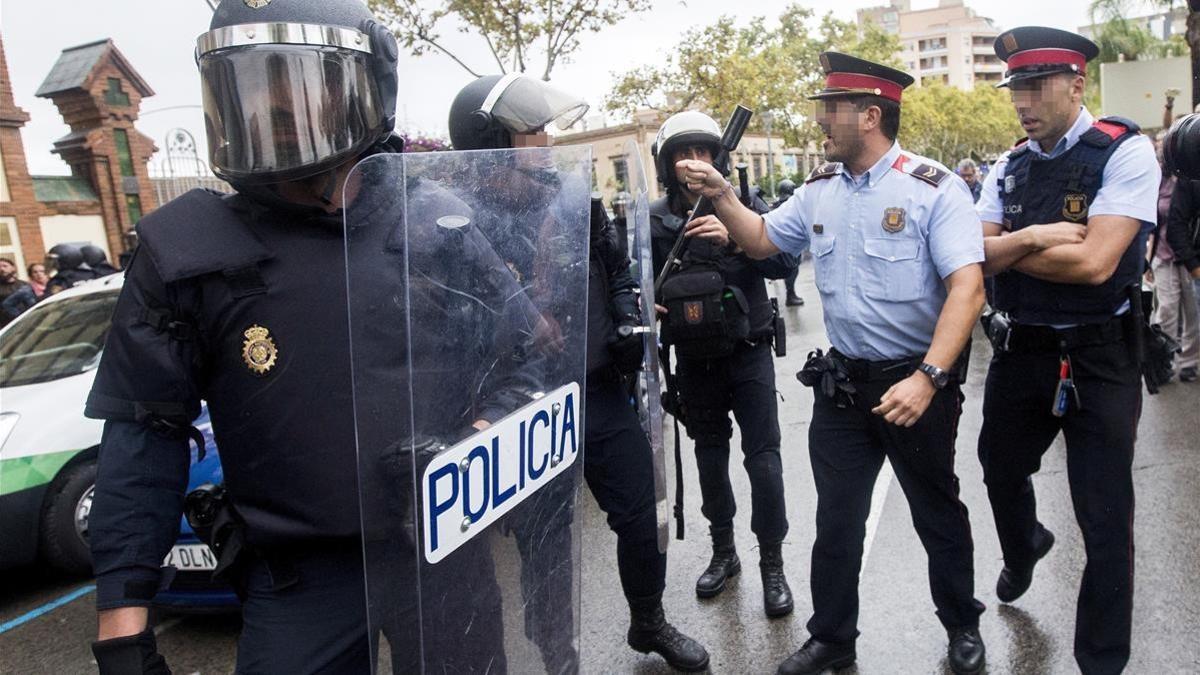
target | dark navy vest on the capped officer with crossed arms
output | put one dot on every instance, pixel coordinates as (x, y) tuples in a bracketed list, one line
[(1039, 190)]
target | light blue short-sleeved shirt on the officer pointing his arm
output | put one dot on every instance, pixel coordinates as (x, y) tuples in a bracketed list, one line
[(883, 243)]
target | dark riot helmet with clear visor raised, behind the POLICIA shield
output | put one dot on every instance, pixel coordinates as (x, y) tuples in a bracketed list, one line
[(488, 112)]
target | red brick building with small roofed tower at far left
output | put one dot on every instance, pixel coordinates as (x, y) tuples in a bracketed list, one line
[(99, 95)]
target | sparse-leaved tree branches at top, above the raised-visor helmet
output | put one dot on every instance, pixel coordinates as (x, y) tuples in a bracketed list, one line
[(514, 31)]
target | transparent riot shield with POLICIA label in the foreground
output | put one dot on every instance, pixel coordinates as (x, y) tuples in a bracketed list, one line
[(467, 285)]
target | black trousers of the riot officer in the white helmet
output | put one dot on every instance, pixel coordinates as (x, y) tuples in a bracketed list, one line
[(742, 384)]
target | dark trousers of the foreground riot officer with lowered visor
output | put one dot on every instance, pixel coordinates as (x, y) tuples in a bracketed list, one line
[(305, 614)]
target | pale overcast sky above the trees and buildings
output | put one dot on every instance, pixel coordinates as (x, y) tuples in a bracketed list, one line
[(158, 37)]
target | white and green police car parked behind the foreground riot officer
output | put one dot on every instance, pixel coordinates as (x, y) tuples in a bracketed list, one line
[(49, 359)]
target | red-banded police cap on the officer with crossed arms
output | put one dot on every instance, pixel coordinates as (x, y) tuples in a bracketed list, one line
[(1035, 51)]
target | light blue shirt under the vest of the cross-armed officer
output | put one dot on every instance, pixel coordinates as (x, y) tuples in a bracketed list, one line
[(1130, 187)]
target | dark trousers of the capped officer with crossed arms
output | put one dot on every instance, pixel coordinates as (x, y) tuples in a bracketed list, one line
[(1018, 428)]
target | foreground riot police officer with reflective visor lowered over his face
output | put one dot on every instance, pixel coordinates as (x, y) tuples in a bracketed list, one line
[(219, 304)]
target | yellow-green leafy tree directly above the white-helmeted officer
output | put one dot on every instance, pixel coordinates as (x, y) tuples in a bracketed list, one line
[(717, 67)]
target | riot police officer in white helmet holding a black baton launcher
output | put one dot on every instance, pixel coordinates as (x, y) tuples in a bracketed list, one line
[(719, 373)]
